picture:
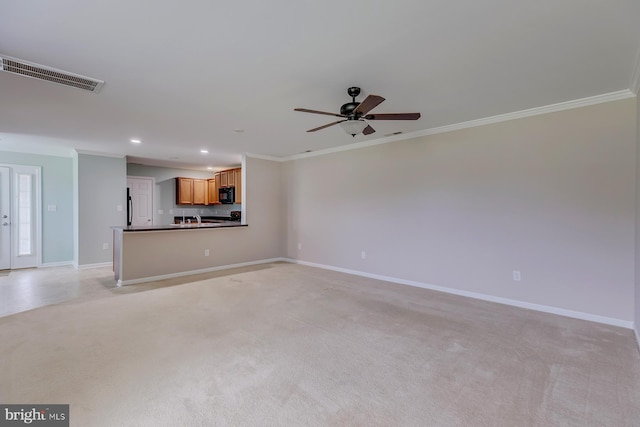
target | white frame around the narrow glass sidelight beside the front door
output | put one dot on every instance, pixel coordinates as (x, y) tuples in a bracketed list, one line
[(35, 258)]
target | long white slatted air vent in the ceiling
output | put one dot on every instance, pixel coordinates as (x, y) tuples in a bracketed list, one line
[(28, 69)]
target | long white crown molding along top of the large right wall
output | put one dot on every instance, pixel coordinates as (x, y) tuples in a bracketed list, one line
[(561, 106)]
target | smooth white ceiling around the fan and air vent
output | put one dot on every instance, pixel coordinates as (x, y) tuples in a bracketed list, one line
[(182, 76)]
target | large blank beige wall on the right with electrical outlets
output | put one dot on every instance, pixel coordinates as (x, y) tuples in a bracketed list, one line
[(552, 196)]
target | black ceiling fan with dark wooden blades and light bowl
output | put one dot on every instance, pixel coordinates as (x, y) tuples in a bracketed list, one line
[(355, 113)]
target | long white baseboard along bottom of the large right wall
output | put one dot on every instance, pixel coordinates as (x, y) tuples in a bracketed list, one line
[(522, 304)]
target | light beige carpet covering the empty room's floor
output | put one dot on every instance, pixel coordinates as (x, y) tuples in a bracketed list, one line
[(290, 345)]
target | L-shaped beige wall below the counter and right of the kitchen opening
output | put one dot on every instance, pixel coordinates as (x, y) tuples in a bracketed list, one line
[(152, 254)]
